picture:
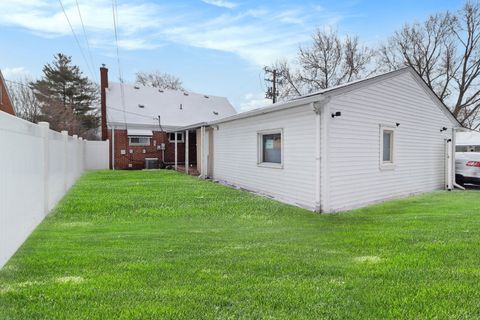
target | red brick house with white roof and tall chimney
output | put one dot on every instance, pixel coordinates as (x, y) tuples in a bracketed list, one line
[(136, 119)]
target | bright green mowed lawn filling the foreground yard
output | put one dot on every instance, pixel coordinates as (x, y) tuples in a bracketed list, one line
[(159, 245)]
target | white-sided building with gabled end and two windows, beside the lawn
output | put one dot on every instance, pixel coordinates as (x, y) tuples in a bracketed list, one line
[(341, 148)]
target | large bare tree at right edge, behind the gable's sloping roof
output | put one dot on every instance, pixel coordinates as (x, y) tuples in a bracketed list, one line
[(445, 51)]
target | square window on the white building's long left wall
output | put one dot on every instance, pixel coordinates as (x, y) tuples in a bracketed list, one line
[(270, 148)]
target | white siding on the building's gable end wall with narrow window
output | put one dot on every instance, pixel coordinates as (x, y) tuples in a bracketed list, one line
[(354, 143)]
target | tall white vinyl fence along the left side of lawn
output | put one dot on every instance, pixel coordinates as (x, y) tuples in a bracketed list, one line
[(37, 167)]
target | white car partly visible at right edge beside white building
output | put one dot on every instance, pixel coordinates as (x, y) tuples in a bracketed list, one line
[(467, 167)]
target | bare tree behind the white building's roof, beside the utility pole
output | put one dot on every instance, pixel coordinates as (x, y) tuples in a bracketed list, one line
[(327, 62)]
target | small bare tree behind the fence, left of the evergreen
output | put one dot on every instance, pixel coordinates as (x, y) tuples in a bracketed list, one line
[(24, 100)]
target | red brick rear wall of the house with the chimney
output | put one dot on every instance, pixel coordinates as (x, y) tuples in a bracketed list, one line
[(137, 158)]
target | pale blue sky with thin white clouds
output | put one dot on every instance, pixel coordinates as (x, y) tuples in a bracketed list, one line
[(217, 47)]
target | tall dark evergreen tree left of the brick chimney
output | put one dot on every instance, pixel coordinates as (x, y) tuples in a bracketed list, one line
[(67, 98)]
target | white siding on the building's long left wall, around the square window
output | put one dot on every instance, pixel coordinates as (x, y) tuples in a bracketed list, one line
[(236, 155)]
